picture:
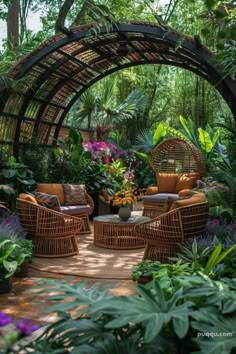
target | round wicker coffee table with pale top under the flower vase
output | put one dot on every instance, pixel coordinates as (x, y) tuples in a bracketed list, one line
[(111, 232)]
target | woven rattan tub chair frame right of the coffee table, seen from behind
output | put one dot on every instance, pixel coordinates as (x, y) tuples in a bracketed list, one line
[(164, 233)]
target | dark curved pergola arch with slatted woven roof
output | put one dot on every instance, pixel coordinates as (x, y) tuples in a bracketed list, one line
[(53, 76)]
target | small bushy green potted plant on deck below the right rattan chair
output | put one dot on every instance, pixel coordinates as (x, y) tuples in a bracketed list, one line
[(143, 271)]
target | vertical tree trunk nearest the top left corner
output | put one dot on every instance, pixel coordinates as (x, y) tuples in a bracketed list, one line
[(13, 24)]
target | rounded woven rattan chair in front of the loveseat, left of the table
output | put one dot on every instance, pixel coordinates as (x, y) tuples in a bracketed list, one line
[(53, 233)]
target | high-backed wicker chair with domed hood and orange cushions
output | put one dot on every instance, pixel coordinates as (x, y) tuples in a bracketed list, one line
[(172, 160)]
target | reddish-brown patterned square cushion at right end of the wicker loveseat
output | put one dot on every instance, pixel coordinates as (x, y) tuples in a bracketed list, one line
[(75, 194)]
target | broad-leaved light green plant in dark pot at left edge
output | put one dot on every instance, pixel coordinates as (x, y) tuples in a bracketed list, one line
[(10, 259)]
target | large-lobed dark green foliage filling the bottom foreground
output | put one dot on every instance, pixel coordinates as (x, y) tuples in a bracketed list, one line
[(156, 320)]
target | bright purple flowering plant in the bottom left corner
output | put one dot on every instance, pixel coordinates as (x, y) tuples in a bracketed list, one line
[(11, 331)]
